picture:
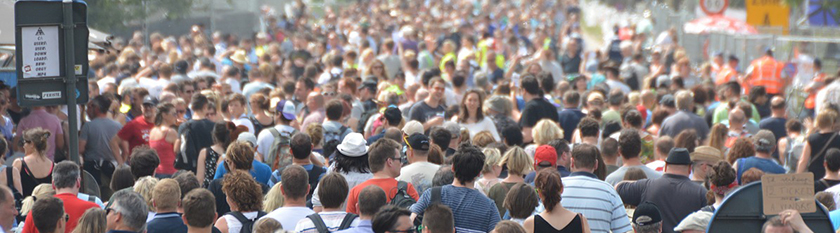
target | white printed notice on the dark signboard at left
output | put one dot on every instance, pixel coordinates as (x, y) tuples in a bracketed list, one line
[(40, 51)]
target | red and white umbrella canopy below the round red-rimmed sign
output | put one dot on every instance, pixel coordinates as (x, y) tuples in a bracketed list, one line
[(718, 23)]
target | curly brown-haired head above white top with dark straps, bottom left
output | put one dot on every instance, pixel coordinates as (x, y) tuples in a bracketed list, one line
[(243, 192)]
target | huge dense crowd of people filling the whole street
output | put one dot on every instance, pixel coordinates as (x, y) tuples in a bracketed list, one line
[(412, 116)]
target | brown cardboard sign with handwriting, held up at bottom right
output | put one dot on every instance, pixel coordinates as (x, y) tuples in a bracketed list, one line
[(788, 191)]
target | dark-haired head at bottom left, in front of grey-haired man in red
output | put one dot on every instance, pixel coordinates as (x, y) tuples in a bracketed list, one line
[(48, 215)]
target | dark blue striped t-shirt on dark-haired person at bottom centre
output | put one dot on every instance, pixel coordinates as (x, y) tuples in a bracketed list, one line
[(473, 211)]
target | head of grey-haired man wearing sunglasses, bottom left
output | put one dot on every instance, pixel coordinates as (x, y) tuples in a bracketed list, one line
[(128, 211)]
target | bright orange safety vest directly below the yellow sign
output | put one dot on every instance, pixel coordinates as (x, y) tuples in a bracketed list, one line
[(766, 72)]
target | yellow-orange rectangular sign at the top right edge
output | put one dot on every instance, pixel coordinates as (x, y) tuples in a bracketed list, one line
[(768, 13)]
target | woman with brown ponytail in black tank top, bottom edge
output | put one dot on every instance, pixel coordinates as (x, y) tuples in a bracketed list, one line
[(549, 187)]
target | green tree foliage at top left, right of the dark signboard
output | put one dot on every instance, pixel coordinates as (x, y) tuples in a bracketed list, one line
[(115, 14)]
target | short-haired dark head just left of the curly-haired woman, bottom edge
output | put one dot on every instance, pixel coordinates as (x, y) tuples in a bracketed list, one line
[(199, 209)]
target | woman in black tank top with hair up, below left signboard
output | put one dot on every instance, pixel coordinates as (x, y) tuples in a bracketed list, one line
[(35, 168)]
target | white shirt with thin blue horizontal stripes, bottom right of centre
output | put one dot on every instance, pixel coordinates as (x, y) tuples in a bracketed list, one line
[(597, 200)]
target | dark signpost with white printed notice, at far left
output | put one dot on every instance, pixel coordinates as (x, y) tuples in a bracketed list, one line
[(51, 40)]
